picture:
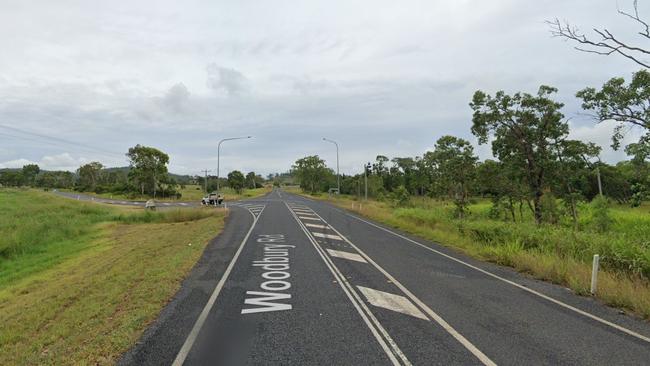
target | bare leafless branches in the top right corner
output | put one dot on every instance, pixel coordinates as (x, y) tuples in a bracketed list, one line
[(606, 43)]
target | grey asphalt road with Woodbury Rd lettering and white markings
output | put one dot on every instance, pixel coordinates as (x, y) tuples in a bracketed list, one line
[(292, 281)]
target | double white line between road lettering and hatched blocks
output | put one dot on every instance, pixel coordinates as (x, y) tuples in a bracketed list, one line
[(368, 317)]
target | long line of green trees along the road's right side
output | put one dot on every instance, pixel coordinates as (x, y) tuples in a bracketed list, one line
[(536, 163)]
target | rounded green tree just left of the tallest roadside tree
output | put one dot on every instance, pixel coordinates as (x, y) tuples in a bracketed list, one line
[(456, 164)]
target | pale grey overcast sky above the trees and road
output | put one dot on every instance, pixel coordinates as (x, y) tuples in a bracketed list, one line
[(89, 79)]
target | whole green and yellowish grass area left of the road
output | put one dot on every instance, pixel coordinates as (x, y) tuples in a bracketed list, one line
[(79, 282)]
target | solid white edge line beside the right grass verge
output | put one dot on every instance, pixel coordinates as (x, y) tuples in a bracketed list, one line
[(546, 297)]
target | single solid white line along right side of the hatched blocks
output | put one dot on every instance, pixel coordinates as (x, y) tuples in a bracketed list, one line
[(433, 315)]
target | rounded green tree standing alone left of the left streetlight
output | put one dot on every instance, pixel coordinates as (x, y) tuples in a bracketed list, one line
[(148, 167)]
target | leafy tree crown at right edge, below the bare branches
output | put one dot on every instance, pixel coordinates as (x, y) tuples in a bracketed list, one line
[(629, 105)]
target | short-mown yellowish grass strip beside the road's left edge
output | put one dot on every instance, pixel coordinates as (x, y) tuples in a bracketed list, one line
[(93, 304)]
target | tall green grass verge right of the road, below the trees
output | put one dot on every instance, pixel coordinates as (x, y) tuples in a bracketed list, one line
[(554, 253)]
